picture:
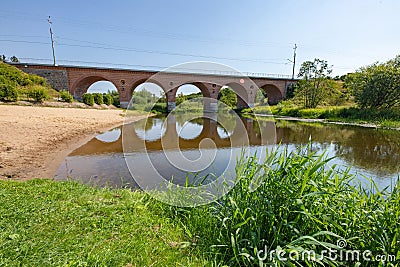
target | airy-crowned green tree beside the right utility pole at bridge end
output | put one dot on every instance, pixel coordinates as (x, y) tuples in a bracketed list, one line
[(315, 81)]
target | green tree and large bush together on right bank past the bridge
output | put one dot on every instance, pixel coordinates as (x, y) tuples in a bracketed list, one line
[(376, 86)]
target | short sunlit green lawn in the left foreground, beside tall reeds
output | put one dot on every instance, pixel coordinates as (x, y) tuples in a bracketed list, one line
[(47, 223)]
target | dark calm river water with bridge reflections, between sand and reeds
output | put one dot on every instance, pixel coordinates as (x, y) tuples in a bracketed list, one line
[(373, 153)]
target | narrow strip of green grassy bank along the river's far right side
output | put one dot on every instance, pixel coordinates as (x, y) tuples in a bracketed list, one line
[(380, 117)]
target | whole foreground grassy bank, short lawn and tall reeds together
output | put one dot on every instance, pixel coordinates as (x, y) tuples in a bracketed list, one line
[(295, 206)]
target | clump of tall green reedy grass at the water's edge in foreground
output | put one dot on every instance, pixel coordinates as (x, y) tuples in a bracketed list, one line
[(294, 203)]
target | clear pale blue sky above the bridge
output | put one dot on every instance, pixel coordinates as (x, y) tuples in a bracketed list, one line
[(251, 36)]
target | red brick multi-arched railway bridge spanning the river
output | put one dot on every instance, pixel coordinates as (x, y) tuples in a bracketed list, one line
[(77, 80)]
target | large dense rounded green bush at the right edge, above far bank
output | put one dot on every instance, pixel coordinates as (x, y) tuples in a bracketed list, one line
[(376, 86)]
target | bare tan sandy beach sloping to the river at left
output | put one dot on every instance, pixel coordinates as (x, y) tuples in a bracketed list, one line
[(34, 139)]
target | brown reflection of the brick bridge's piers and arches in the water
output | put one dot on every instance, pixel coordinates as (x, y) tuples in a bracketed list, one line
[(133, 143)]
